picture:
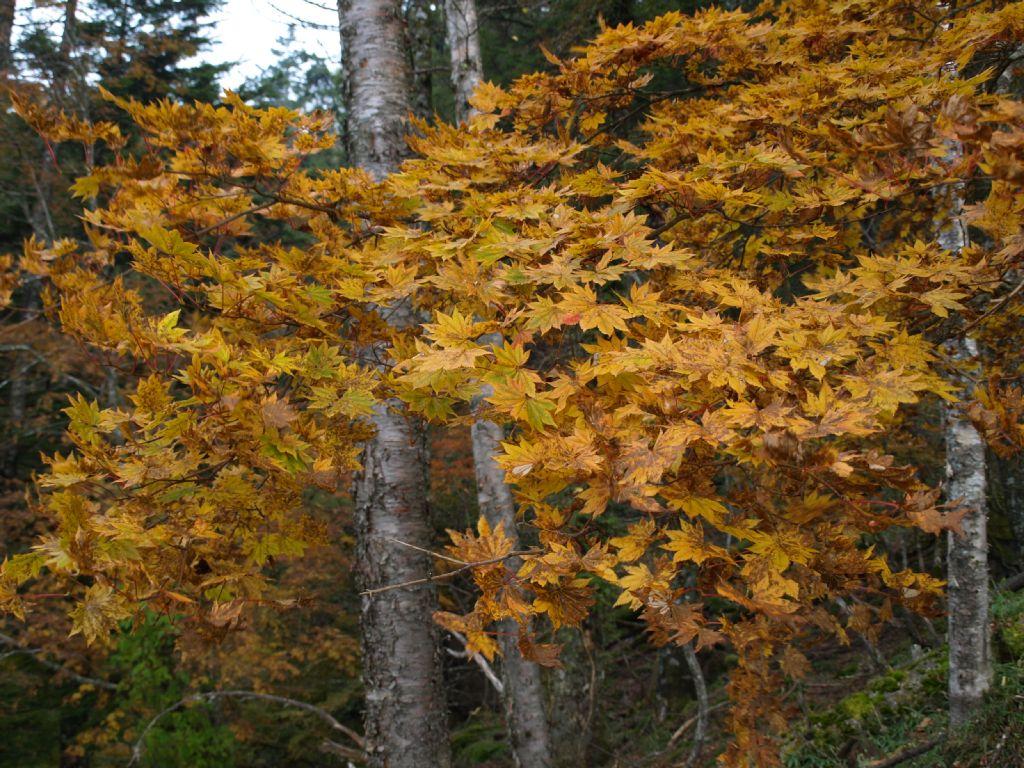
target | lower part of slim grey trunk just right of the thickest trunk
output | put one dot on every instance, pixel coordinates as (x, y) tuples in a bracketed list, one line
[(524, 696)]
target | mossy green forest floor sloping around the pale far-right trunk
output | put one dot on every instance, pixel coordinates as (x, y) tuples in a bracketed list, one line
[(887, 708)]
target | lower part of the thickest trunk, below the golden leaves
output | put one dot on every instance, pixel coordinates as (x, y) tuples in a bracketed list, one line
[(406, 717)]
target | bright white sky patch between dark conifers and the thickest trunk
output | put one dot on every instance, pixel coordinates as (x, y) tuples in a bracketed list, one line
[(246, 32)]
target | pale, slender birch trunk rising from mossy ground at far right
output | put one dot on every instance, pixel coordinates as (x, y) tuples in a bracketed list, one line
[(970, 668)]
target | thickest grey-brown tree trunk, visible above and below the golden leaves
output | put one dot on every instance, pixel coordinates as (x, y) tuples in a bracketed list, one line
[(406, 715)]
